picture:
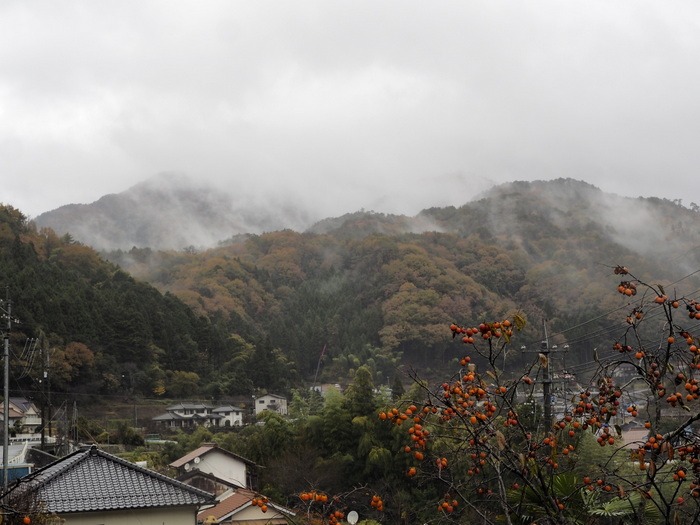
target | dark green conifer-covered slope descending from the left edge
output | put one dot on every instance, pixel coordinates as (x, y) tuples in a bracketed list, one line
[(90, 325)]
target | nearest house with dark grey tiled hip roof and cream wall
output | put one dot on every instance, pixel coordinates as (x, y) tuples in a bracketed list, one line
[(90, 486)]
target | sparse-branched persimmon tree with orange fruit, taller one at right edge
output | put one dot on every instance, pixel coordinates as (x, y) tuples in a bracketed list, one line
[(653, 370)]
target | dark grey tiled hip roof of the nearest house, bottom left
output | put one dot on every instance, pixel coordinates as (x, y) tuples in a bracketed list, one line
[(92, 480)]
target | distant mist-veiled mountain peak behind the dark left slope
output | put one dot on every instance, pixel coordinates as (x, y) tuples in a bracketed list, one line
[(172, 211)]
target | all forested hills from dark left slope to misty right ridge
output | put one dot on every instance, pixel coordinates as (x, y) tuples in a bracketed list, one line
[(286, 308)]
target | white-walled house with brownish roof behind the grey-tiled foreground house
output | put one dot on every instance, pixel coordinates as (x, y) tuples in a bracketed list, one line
[(226, 466)]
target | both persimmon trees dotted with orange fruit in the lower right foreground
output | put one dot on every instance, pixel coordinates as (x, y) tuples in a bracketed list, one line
[(469, 435)]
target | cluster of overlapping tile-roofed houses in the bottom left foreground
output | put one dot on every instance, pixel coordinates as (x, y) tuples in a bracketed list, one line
[(210, 486)]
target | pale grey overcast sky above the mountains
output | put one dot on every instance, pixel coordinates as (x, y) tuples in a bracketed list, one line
[(386, 105)]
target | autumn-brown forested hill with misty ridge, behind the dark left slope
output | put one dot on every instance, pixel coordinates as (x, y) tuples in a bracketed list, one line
[(381, 289)]
